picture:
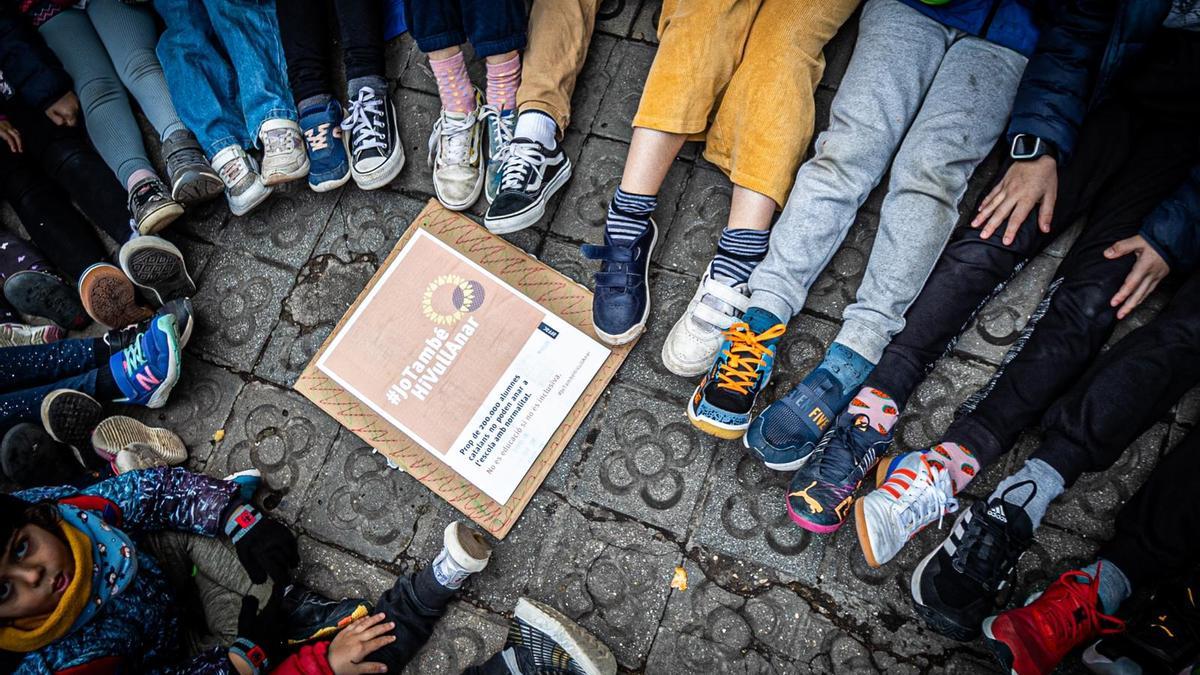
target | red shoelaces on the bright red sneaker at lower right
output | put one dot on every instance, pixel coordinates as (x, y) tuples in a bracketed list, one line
[(1057, 610)]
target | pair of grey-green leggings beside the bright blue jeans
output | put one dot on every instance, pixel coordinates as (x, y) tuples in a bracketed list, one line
[(109, 45)]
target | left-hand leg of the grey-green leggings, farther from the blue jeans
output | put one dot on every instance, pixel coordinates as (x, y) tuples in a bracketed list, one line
[(106, 107)]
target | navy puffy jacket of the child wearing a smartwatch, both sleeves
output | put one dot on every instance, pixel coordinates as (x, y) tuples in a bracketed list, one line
[(1090, 44)]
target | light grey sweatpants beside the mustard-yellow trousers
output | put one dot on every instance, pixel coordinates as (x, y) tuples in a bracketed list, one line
[(939, 95)]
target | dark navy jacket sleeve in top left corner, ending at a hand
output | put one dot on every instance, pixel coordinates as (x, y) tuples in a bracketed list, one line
[(28, 64)]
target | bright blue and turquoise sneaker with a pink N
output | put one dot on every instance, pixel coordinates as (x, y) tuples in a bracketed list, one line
[(148, 371)]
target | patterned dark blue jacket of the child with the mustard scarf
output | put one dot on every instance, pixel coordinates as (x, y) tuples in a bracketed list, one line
[(139, 631)]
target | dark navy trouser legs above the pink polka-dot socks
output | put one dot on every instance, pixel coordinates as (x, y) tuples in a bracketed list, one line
[(494, 27)]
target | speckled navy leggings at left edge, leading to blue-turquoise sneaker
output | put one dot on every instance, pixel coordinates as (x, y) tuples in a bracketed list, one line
[(29, 374)]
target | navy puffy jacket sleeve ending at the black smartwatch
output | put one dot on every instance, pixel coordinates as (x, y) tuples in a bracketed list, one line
[(1058, 83)]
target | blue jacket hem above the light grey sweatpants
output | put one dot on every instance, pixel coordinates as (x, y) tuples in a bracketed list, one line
[(1009, 23)]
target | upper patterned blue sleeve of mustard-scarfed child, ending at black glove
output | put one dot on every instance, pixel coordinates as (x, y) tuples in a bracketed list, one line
[(169, 499)]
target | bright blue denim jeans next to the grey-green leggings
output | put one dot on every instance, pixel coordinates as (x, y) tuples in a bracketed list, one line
[(225, 68)]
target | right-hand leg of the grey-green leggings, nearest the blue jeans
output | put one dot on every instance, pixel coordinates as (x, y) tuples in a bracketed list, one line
[(130, 37)]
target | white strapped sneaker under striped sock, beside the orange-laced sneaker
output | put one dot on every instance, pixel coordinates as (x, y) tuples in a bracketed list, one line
[(695, 339)]
